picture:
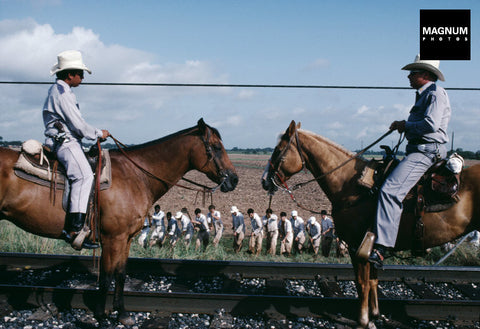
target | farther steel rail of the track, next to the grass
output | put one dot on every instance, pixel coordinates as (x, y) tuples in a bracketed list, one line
[(268, 270)]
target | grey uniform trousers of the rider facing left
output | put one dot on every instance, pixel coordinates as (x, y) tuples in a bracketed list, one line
[(389, 210)]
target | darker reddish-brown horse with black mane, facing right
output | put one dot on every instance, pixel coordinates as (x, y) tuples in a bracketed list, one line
[(137, 182)]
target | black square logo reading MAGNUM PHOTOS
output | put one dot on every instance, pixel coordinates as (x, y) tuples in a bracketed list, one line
[(444, 34)]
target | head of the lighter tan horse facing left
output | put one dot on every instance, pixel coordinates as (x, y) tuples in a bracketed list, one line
[(286, 160)]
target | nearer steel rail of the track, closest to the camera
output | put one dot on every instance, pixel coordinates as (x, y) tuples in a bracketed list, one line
[(240, 304)]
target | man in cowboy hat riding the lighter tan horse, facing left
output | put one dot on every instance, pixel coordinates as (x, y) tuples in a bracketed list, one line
[(426, 132)]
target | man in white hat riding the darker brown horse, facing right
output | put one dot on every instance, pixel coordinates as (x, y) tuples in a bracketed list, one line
[(64, 130)]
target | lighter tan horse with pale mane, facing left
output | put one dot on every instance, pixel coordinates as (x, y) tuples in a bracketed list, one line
[(354, 211)]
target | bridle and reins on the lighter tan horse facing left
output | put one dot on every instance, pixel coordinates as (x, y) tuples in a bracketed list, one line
[(275, 168)]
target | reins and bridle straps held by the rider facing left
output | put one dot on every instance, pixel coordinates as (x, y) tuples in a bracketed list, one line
[(298, 185)]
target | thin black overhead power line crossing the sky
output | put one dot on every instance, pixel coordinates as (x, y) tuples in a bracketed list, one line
[(223, 85)]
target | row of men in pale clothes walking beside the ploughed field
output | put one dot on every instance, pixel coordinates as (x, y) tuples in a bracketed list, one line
[(294, 234)]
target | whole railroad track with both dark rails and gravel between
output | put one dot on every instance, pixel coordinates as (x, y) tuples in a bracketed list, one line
[(434, 293)]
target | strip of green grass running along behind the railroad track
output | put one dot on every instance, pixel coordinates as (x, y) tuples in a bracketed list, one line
[(13, 239)]
